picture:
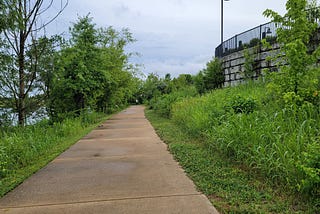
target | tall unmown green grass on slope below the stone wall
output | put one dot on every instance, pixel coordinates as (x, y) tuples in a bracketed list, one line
[(245, 125)]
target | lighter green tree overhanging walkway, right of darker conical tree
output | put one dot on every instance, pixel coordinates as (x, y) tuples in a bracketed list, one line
[(123, 84)]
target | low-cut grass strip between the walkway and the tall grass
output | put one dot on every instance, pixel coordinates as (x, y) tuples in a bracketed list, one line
[(230, 187)]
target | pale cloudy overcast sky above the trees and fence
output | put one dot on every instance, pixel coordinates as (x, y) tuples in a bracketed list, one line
[(173, 36)]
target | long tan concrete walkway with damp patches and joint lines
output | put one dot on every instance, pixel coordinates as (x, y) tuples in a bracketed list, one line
[(120, 167)]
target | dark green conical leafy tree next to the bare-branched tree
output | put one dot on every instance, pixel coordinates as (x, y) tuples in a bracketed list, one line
[(78, 79)]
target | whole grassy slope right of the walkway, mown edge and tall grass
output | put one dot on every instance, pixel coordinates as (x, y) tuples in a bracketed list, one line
[(243, 151)]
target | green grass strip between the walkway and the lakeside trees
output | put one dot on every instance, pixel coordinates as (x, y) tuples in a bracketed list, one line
[(25, 150)]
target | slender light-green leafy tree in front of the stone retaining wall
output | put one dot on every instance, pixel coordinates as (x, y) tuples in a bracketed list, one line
[(296, 81)]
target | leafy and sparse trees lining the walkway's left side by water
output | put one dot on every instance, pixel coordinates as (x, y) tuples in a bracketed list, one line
[(62, 78)]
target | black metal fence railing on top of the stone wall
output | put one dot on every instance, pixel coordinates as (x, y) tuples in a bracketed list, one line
[(249, 38)]
